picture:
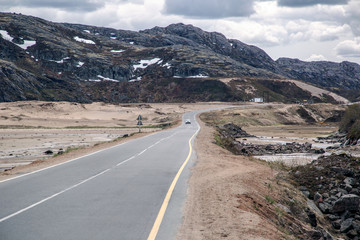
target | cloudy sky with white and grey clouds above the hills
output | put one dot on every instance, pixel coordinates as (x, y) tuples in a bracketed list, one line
[(306, 29)]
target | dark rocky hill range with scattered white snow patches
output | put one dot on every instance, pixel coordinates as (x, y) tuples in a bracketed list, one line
[(43, 60)]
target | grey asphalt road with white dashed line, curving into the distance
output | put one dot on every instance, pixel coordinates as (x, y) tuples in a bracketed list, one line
[(113, 194)]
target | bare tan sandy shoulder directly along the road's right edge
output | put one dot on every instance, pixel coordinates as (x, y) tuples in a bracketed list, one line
[(220, 181)]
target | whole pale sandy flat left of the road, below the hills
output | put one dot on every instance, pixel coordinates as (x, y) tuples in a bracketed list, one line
[(29, 129)]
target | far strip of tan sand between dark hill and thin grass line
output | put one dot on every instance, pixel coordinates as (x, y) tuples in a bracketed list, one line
[(37, 114)]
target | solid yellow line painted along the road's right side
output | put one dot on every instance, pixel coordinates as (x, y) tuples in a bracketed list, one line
[(160, 216)]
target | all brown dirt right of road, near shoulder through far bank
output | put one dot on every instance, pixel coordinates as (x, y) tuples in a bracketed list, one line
[(239, 197)]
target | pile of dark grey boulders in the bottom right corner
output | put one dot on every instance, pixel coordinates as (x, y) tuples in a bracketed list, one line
[(332, 182)]
